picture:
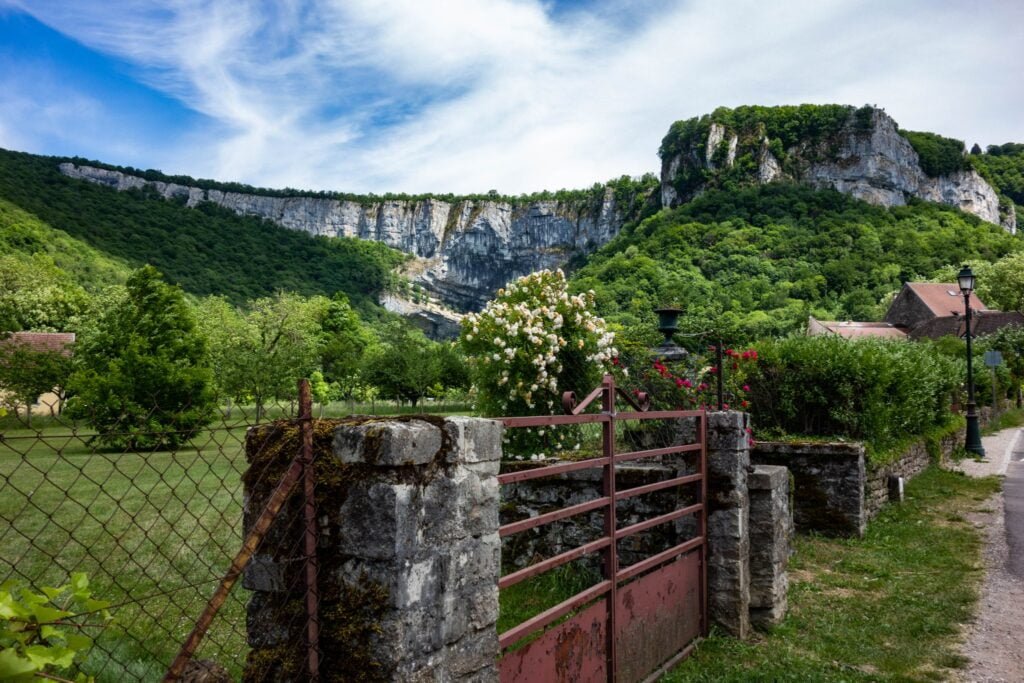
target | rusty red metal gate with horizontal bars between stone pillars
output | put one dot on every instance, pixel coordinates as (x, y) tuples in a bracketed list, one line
[(641, 620)]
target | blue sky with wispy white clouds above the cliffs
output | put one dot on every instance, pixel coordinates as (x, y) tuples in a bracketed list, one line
[(473, 96)]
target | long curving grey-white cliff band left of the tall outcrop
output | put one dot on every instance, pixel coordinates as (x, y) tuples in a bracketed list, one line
[(468, 249)]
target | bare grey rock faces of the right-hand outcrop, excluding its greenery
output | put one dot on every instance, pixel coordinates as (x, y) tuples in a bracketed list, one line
[(873, 163)]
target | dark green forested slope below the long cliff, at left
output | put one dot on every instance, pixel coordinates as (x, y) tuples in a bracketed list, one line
[(207, 250)]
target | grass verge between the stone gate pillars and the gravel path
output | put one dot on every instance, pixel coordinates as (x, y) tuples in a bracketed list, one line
[(886, 608)]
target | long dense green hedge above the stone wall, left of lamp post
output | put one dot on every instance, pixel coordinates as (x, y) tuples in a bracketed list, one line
[(875, 391)]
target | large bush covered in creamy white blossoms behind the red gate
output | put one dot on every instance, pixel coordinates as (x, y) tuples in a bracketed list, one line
[(533, 343)]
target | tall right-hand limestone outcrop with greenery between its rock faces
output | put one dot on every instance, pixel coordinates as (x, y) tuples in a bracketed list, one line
[(865, 156)]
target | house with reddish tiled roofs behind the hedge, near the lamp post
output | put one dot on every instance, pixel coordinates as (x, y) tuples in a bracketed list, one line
[(924, 311)]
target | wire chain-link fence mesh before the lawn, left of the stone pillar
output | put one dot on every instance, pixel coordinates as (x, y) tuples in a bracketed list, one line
[(153, 529)]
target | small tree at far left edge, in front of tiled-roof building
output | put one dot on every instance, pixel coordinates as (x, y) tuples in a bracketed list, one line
[(26, 373)]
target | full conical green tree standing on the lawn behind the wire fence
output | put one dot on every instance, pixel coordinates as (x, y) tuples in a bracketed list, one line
[(143, 377)]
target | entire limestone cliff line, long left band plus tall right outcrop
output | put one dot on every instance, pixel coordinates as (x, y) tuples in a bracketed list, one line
[(466, 250)]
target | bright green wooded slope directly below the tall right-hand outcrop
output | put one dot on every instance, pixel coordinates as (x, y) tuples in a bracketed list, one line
[(759, 261)]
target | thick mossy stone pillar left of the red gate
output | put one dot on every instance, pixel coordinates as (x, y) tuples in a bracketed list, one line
[(409, 553)]
